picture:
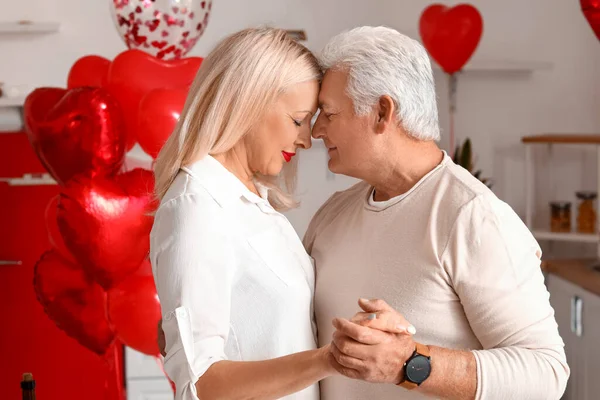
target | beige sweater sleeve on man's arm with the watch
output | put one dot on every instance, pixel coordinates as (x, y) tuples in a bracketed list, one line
[(494, 265)]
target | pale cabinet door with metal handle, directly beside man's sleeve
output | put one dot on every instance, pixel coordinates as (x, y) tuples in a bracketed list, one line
[(562, 297)]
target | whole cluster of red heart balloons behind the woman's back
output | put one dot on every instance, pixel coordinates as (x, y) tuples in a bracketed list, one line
[(96, 282)]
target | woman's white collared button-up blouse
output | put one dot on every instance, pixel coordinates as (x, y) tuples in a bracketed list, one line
[(233, 278)]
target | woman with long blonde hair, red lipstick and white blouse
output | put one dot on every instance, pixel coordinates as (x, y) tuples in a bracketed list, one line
[(234, 281)]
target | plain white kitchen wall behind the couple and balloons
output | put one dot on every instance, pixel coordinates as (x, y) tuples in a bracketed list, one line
[(494, 110)]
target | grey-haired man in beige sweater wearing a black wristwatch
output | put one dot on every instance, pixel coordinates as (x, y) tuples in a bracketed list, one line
[(426, 237)]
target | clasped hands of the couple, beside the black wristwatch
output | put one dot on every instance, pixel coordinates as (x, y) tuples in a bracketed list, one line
[(373, 349)]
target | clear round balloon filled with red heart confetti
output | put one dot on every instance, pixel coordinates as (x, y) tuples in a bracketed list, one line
[(167, 29)]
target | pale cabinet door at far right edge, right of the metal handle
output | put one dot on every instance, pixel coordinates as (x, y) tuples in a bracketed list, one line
[(590, 347)]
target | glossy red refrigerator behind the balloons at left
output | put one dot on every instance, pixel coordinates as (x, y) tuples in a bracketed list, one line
[(30, 341)]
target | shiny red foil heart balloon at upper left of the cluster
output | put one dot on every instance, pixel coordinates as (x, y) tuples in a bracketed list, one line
[(75, 131)]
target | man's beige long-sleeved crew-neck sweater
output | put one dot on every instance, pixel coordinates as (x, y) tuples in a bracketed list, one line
[(459, 264)]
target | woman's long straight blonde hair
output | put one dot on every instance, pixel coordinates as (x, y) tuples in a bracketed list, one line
[(237, 82)]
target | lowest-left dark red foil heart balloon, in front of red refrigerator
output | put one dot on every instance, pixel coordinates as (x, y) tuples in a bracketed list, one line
[(75, 303)]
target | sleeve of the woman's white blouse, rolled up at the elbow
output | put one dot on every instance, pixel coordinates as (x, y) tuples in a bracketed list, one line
[(193, 268)]
